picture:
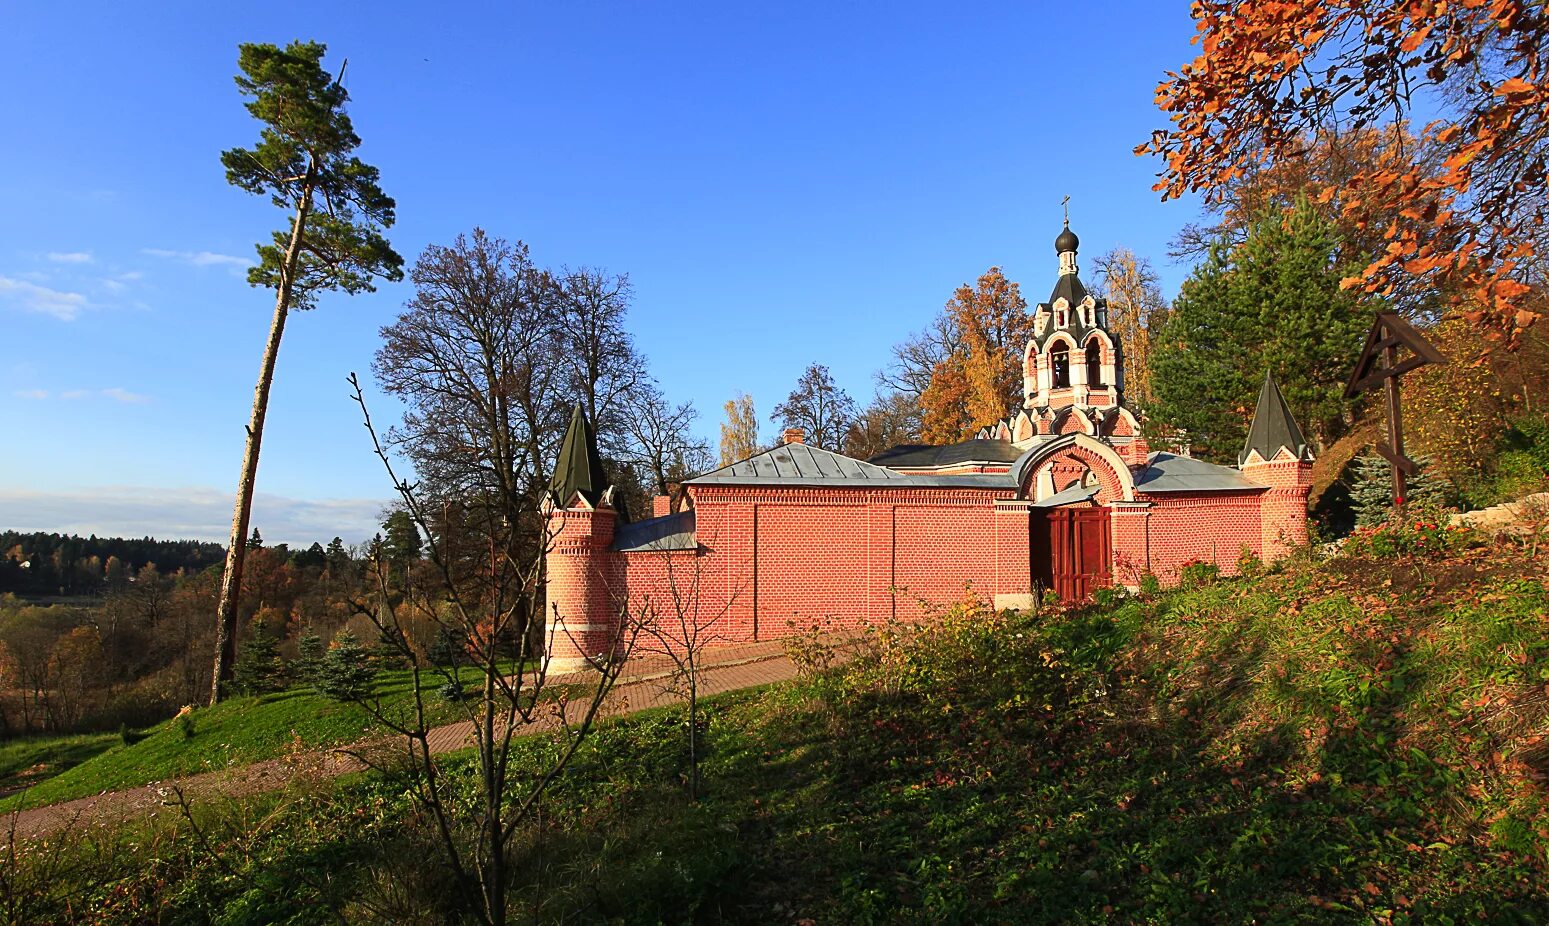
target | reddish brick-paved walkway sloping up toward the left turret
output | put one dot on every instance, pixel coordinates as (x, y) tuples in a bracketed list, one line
[(644, 684)]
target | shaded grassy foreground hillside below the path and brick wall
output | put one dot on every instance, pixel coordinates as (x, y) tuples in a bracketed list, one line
[(1356, 741)]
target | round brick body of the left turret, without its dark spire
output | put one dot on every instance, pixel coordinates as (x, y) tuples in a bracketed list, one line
[(583, 589)]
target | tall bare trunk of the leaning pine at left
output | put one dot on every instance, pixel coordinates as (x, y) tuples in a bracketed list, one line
[(238, 549)]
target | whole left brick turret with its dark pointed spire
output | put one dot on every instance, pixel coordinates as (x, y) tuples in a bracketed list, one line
[(585, 580)]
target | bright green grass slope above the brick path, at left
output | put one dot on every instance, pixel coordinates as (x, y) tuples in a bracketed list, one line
[(238, 732)]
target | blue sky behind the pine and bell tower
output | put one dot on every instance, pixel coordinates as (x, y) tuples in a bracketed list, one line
[(783, 183)]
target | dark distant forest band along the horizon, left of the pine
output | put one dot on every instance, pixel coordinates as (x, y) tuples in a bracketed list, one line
[(66, 564)]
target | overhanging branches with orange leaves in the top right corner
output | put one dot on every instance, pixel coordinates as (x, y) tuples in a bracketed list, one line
[(1273, 74)]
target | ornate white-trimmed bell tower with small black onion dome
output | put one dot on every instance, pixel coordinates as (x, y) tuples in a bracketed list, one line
[(1073, 360)]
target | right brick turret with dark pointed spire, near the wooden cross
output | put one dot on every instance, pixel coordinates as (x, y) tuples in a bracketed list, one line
[(1277, 456)]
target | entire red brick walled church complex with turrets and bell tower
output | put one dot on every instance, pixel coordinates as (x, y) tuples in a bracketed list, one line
[(1063, 495)]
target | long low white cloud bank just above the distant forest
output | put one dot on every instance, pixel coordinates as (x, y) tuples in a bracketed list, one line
[(197, 513)]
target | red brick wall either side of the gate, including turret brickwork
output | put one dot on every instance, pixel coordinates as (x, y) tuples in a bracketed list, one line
[(772, 558)]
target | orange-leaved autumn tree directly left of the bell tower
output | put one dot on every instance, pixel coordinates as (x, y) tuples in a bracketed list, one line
[(981, 380)]
